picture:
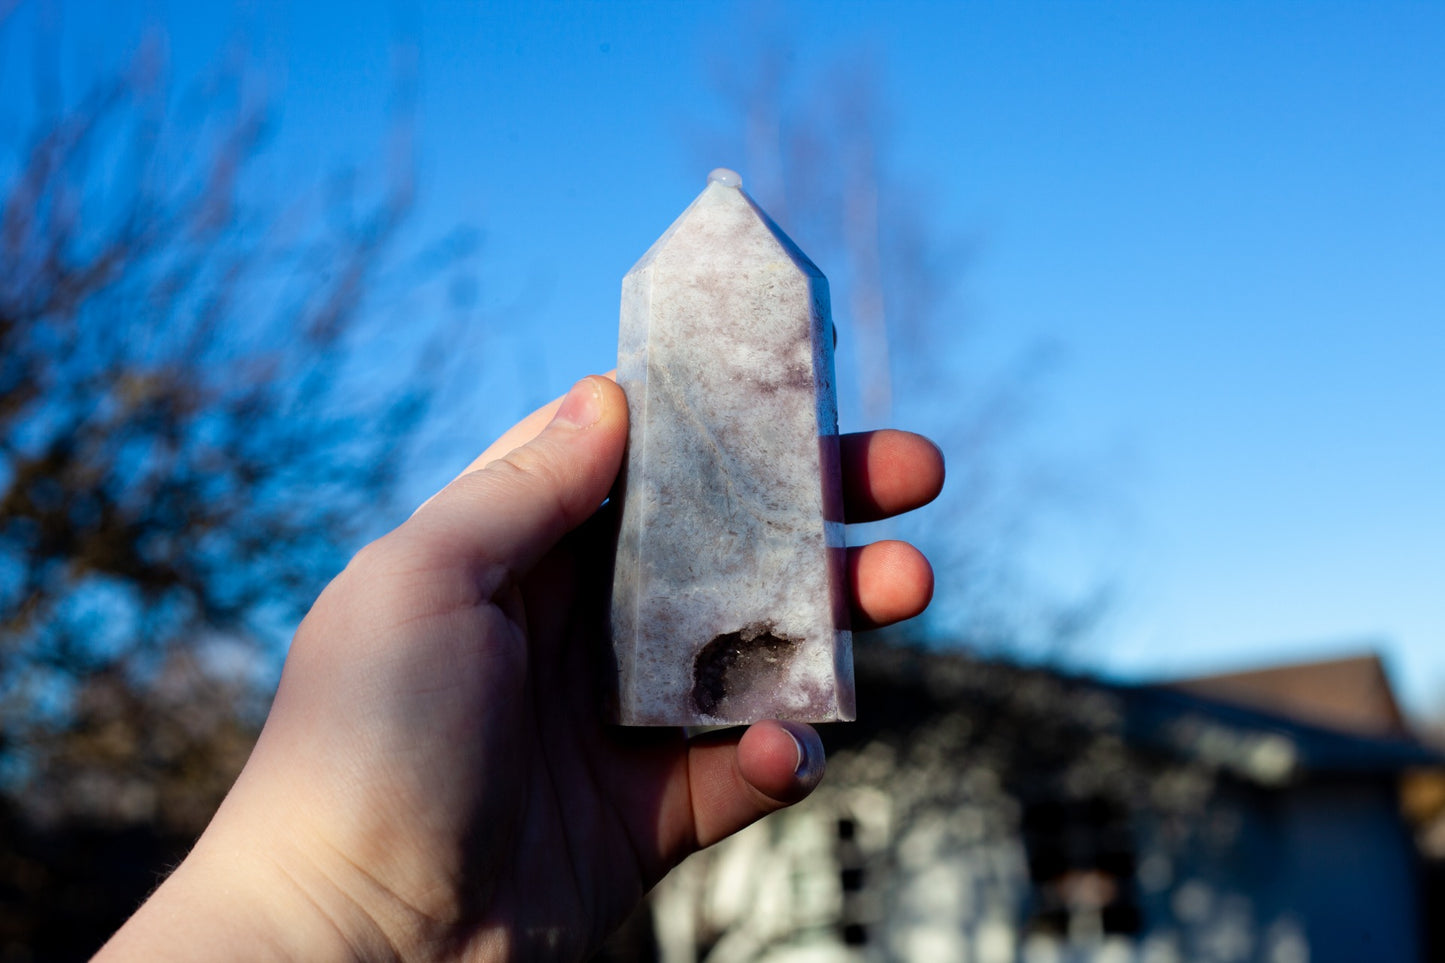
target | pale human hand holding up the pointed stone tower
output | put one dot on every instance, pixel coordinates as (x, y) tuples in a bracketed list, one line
[(434, 780)]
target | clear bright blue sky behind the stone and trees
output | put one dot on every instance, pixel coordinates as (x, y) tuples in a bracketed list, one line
[(1228, 219)]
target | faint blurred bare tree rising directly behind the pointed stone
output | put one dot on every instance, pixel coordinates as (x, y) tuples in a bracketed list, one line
[(817, 153)]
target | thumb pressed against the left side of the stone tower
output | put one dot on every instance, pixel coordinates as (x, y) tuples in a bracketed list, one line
[(514, 510)]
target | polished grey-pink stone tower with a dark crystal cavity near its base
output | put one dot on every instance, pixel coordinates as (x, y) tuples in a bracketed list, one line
[(729, 598)]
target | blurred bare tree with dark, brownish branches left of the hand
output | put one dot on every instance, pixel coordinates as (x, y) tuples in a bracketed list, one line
[(202, 413)]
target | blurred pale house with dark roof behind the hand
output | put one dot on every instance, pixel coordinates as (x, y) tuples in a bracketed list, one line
[(989, 813)]
